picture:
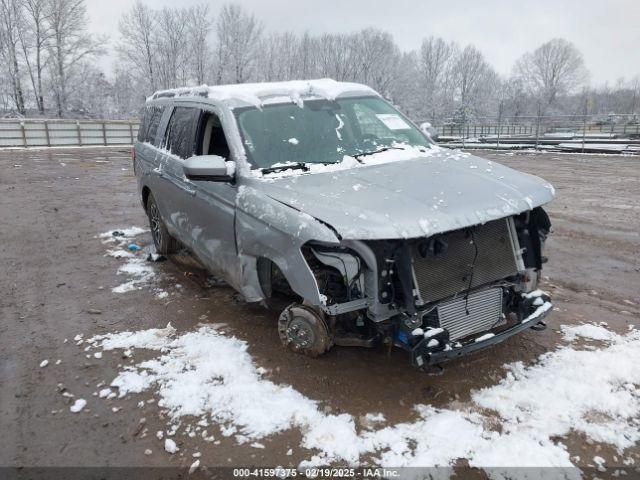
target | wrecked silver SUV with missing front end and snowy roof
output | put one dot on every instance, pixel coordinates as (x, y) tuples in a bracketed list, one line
[(323, 191)]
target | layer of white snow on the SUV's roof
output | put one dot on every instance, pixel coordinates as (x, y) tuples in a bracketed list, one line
[(257, 93)]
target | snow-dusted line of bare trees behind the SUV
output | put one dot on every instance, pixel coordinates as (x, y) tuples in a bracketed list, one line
[(50, 65)]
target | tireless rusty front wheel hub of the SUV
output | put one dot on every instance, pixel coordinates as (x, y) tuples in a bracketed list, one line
[(303, 330)]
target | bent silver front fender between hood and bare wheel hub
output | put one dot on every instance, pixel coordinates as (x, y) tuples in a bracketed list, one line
[(270, 229)]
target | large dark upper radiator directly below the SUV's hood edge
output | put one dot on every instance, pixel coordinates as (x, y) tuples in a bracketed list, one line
[(450, 273)]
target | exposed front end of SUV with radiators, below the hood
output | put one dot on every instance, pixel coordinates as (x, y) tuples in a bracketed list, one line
[(437, 297)]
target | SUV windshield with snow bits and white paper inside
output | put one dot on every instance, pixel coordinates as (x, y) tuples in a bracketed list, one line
[(323, 131)]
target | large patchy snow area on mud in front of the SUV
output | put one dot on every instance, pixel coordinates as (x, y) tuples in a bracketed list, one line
[(211, 376)]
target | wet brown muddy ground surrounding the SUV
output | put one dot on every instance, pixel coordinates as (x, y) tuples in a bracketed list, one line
[(53, 272)]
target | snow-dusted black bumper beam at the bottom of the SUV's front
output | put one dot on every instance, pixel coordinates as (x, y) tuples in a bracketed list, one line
[(423, 356)]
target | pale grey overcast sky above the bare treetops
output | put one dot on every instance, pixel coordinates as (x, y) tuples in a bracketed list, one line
[(606, 31)]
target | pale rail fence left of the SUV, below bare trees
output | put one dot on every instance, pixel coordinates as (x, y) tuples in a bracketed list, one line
[(66, 133)]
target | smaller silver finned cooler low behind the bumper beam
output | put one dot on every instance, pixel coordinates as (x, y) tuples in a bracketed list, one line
[(485, 310)]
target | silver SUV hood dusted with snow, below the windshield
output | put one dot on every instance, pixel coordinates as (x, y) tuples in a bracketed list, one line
[(442, 191)]
